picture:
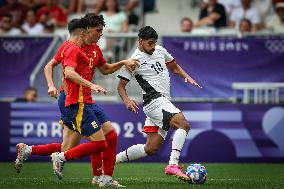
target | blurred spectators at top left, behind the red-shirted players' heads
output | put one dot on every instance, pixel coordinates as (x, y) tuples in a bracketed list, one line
[(45, 16)]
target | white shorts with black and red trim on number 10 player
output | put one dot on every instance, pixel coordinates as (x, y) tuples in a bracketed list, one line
[(159, 114)]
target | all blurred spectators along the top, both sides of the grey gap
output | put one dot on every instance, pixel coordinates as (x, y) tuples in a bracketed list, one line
[(46, 16)]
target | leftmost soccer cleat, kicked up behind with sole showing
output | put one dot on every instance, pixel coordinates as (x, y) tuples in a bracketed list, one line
[(23, 154)]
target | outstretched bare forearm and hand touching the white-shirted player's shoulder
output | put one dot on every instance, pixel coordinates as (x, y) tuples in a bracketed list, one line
[(130, 64)]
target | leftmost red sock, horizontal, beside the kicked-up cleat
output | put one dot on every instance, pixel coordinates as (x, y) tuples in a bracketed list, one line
[(46, 149)]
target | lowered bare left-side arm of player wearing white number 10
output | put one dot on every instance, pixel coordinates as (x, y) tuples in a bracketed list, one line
[(130, 104)]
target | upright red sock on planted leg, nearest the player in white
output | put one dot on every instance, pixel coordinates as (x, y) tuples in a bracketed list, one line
[(109, 155)]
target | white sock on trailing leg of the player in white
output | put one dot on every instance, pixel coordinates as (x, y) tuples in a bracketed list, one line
[(133, 152)]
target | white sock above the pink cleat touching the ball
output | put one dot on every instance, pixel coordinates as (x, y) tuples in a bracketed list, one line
[(177, 144)]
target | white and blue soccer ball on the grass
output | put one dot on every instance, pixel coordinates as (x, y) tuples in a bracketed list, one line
[(197, 173)]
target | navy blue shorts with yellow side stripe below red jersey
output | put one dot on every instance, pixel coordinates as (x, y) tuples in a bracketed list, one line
[(83, 118)]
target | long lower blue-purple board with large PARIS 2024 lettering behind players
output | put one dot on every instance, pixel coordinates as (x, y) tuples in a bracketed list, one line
[(219, 132)]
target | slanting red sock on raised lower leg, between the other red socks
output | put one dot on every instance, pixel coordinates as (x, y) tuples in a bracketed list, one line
[(85, 149)]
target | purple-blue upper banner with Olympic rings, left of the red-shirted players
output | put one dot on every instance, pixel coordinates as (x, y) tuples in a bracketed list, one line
[(19, 57)]
